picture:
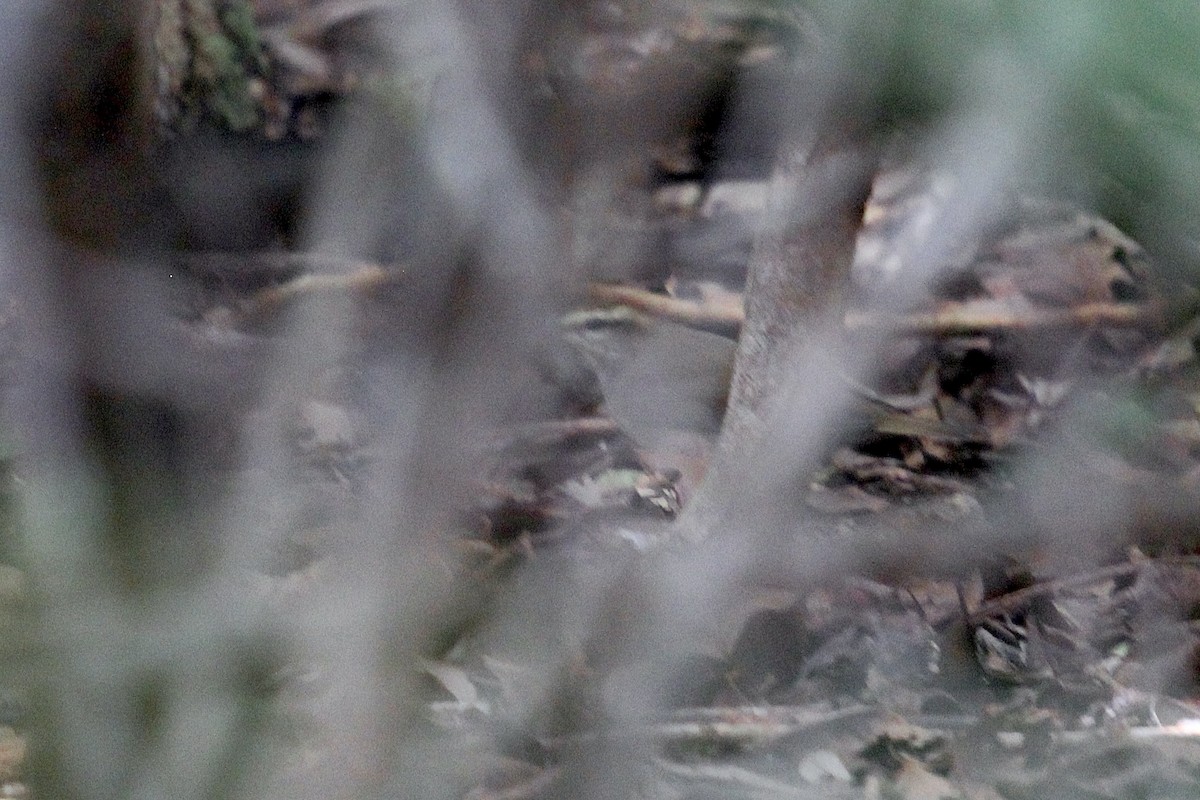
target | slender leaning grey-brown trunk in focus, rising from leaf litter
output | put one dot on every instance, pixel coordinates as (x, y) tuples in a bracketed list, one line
[(783, 401)]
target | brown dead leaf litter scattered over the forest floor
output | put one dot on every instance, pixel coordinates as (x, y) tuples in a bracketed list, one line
[(1052, 333)]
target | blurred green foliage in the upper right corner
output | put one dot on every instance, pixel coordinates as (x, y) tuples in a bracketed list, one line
[(1105, 95)]
